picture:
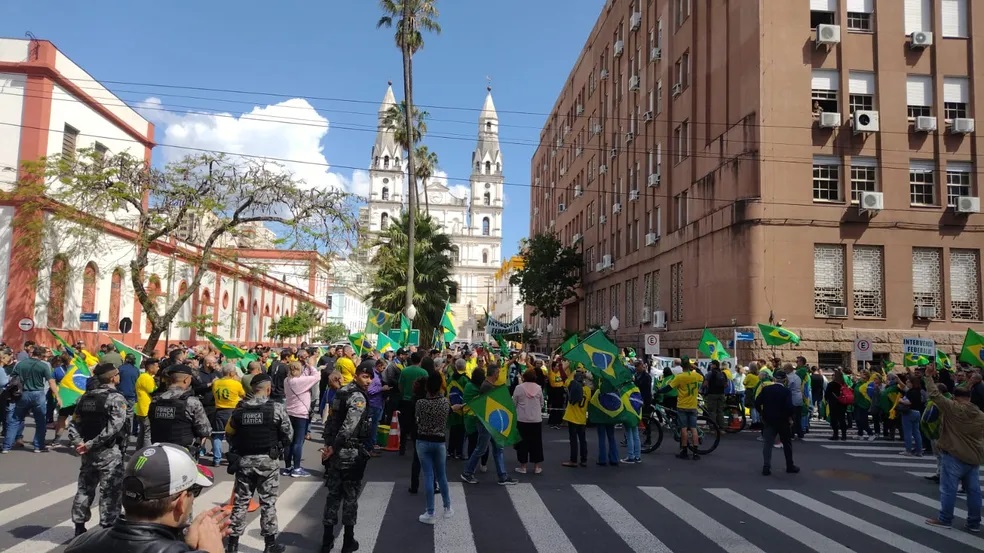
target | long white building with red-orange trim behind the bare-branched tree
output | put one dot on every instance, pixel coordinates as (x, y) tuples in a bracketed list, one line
[(50, 106)]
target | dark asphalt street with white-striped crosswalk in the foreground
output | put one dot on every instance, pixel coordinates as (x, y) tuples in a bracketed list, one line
[(850, 496)]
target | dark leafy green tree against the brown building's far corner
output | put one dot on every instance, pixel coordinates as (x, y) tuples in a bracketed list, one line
[(549, 275)]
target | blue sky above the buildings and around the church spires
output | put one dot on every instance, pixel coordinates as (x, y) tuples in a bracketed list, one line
[(330, 54)]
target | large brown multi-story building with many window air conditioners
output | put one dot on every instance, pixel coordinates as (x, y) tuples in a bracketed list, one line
[(722, 164)]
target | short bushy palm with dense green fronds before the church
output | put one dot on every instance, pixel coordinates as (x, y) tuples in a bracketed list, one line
[(432, 270)]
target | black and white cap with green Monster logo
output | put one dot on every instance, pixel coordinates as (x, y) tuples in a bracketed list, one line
[(162, 470)]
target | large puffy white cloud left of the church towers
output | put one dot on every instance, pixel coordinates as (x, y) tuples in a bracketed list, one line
[(290, 130)]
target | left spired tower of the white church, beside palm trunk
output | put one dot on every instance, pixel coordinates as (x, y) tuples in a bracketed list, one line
[(386, 171)]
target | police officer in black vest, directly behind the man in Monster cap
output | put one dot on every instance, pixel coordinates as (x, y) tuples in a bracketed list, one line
[(176, 415)]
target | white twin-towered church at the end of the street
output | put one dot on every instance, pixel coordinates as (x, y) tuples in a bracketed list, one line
[(474, 223)]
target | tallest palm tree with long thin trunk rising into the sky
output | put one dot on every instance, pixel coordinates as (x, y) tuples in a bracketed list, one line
[(410, 17)]
